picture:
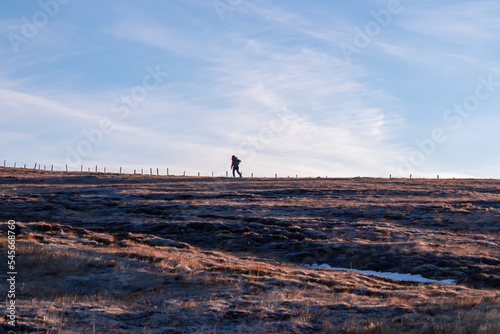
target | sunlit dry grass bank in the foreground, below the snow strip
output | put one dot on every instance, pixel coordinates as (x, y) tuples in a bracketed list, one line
[(185, 283)]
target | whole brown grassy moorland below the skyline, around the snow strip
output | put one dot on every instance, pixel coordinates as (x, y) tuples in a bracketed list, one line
[(111, 253)]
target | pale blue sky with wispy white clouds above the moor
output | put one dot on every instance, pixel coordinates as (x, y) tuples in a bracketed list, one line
[(308, 88)]
